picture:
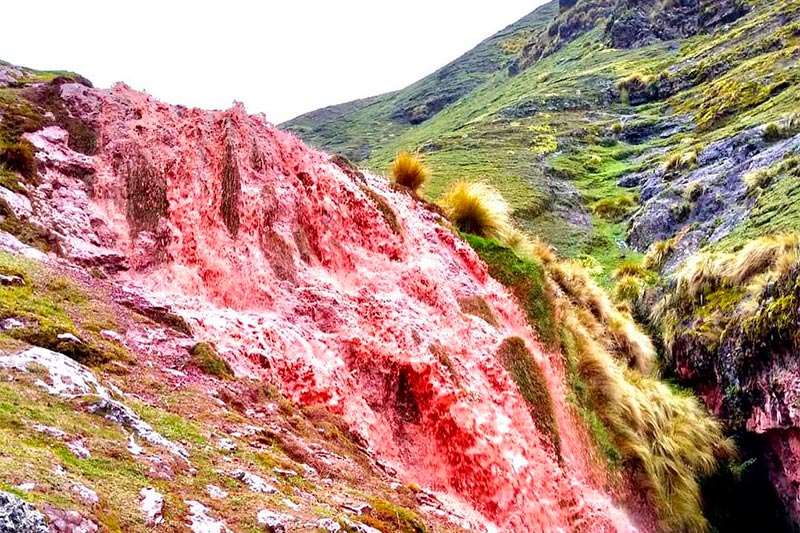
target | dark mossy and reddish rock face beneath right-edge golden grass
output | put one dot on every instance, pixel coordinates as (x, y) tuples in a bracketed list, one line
[(750, 378)]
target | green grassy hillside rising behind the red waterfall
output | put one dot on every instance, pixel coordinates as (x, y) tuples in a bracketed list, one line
[(561, 137)]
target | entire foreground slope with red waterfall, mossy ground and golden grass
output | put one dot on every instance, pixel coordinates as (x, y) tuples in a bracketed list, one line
[(208, 325)]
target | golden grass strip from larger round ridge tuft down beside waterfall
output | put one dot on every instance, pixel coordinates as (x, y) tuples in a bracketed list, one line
[(667, 439)]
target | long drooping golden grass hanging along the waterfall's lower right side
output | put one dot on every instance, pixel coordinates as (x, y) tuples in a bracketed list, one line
[(666, 439)]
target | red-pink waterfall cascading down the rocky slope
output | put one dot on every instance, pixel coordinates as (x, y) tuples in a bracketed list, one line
[(329, 284)]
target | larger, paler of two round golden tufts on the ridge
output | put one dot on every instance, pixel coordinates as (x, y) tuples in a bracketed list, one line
[(477, 208)]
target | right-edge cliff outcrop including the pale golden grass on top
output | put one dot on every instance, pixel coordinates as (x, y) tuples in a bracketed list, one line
[(736, 345)]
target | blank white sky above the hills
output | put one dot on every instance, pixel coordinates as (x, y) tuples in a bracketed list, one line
[(281, 58)]
